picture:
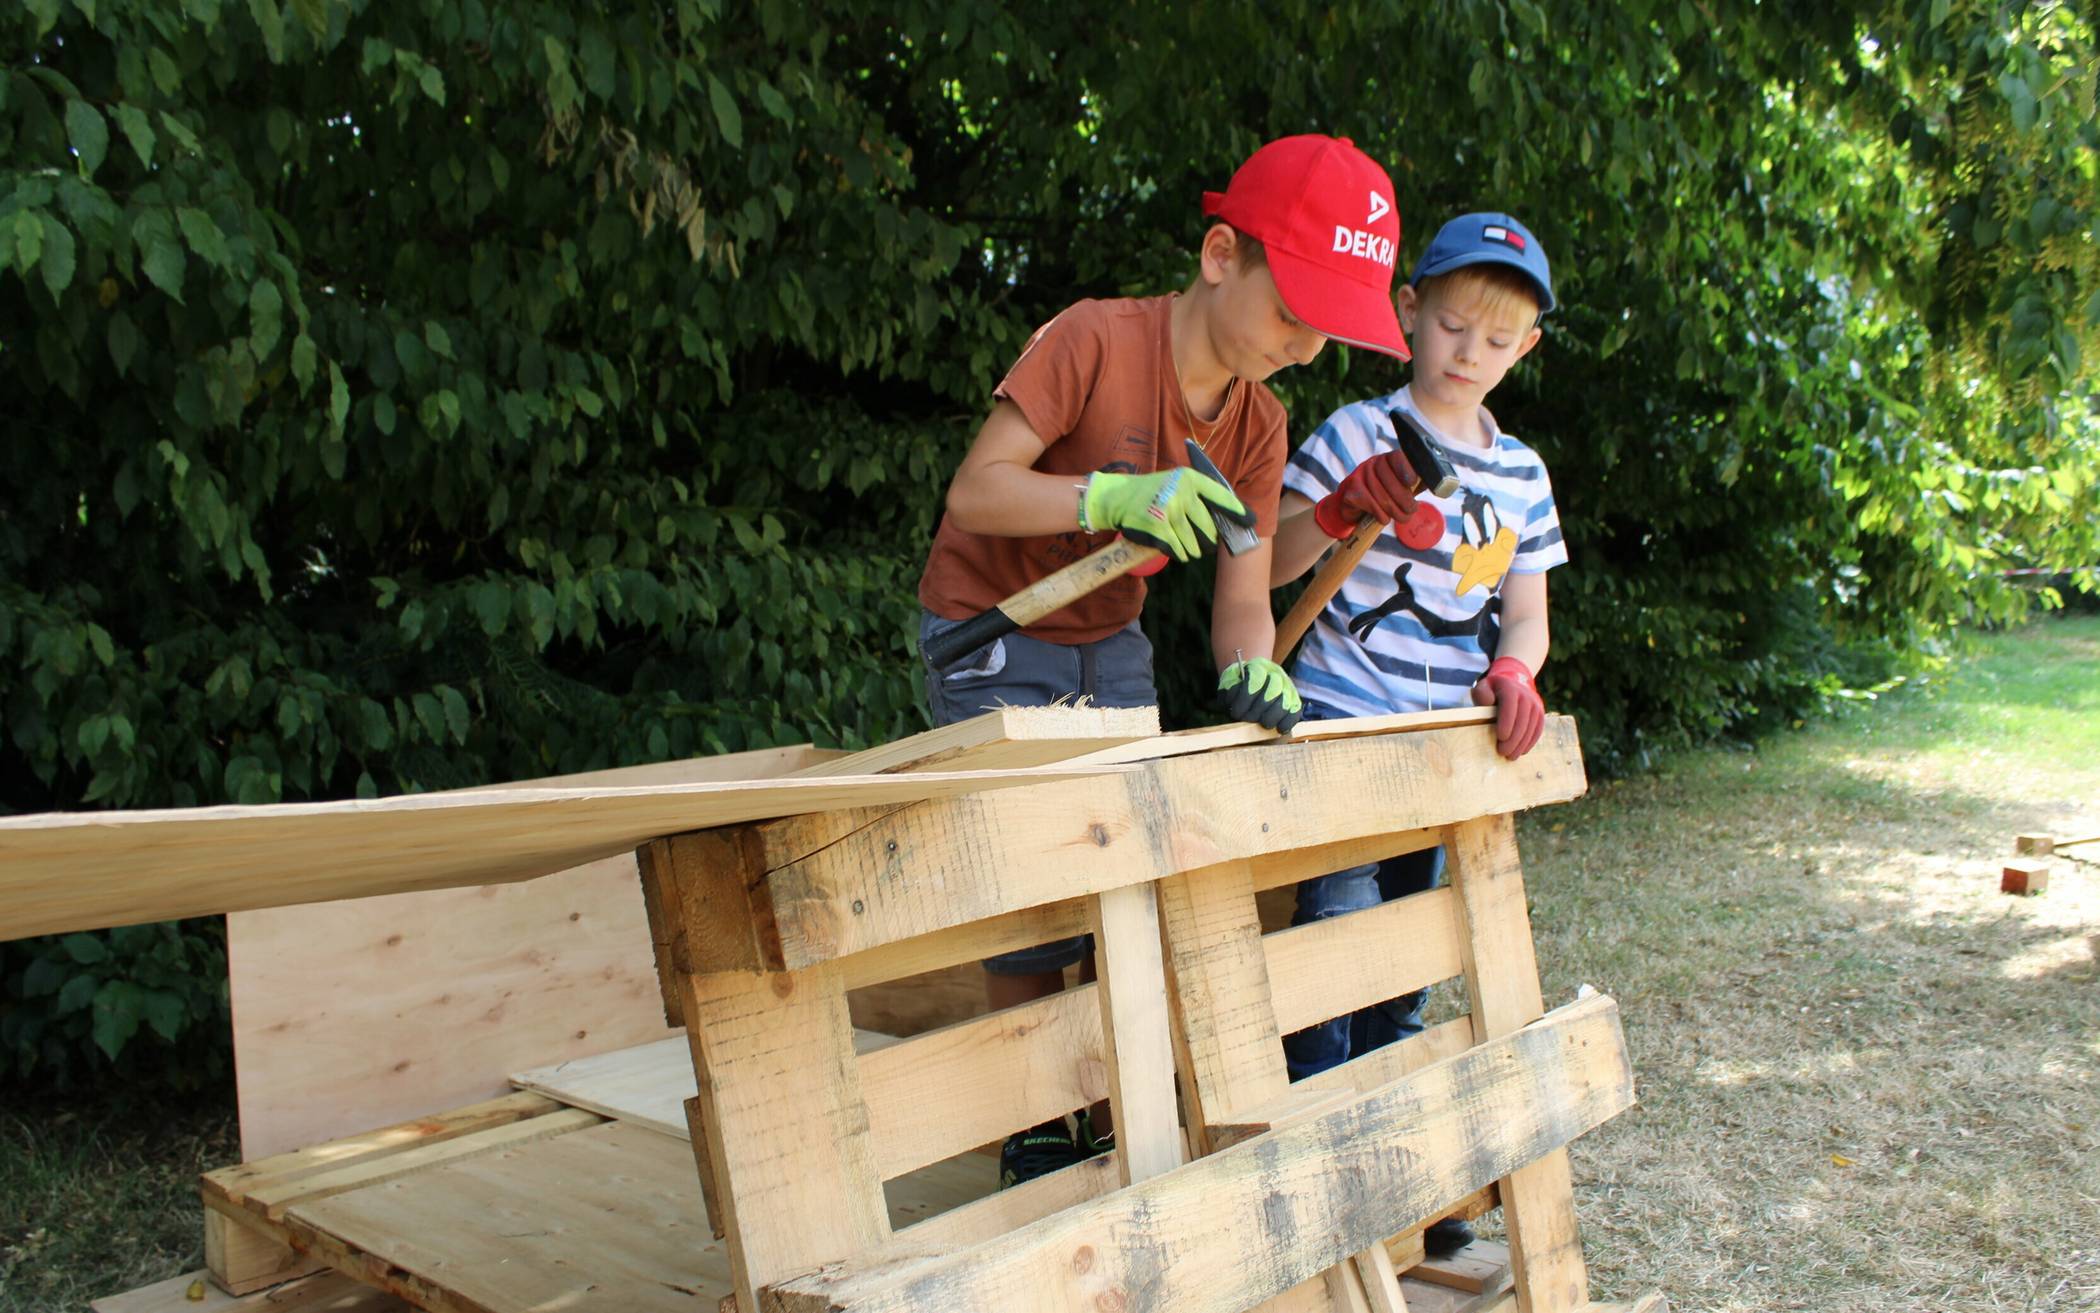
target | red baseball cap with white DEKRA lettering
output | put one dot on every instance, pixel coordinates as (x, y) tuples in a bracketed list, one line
[(1332, 232)]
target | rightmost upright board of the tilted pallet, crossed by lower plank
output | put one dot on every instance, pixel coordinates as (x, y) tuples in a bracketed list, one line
[(1503, 980)]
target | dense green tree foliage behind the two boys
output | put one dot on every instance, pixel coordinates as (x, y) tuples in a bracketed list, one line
[(419, 396)]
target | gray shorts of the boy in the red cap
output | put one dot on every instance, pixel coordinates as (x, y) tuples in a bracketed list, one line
[(1020, 671)]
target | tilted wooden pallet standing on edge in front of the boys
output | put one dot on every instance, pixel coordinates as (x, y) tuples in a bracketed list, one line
[(1295, 1192)]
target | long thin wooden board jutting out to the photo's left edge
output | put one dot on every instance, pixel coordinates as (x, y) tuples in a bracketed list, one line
[(83, 871)]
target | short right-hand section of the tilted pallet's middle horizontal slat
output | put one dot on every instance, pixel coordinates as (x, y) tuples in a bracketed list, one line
[(1353, 961)]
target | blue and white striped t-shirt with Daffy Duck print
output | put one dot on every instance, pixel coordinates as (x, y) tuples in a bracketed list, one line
[(1414, 629)]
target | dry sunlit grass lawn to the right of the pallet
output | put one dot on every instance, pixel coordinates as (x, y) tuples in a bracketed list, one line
[(1868, 1081)]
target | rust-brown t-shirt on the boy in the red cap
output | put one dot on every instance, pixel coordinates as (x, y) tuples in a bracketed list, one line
[(1099, 388)]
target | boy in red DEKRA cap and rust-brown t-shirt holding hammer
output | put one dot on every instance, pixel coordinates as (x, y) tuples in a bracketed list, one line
[(1087, 440)]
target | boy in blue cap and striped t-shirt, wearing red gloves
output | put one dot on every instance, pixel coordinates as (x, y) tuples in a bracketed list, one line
[(1450, 602)]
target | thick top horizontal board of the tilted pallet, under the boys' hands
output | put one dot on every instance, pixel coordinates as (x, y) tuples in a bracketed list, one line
[(959, 860)]
